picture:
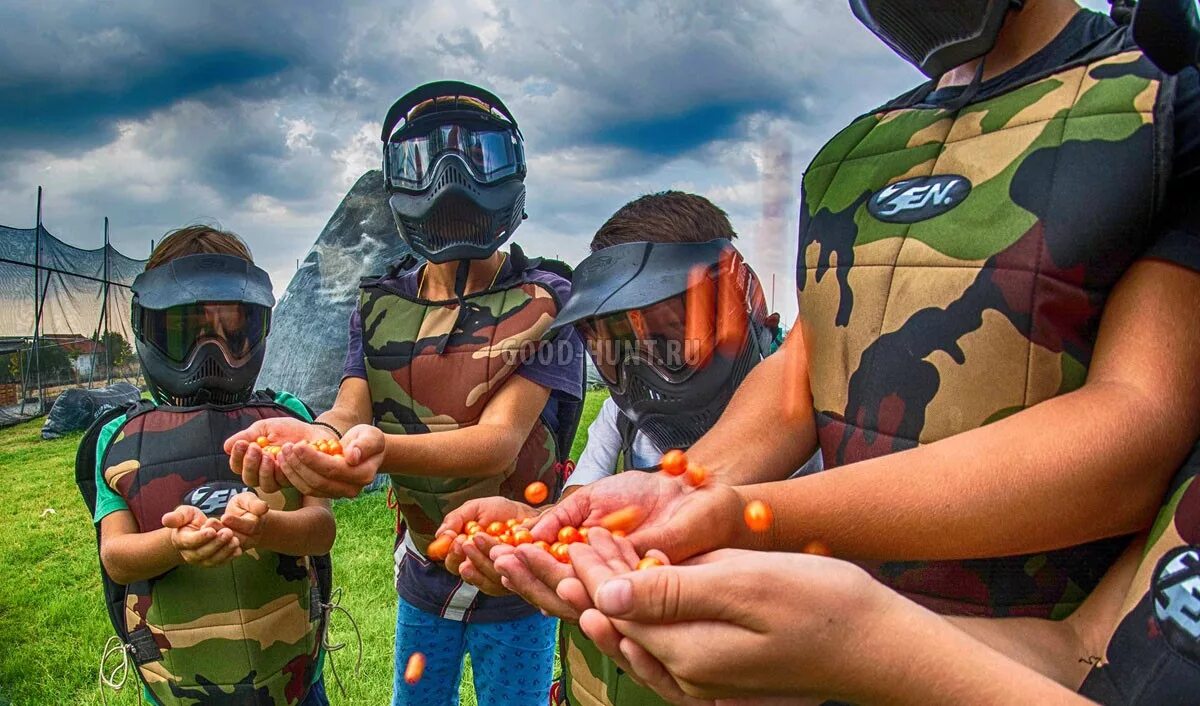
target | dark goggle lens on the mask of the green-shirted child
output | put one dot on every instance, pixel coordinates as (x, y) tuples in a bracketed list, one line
[(178, 331)]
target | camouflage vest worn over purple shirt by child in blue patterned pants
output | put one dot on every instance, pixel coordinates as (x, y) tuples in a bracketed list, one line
[(434, 368)]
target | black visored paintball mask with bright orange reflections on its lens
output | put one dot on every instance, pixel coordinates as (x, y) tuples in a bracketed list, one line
[(673, 330)]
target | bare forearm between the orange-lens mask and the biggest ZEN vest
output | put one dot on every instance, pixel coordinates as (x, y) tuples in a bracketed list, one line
[(755, 441)]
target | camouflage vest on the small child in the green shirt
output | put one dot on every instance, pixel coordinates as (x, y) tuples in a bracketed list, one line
[(245, 633)]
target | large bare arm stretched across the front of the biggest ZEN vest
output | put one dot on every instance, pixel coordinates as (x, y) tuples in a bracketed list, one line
[(1069, 471)]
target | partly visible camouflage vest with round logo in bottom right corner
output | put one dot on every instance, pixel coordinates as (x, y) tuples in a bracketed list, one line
[(1154, 653)]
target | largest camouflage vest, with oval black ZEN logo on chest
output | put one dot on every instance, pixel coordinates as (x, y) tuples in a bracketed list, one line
[(953, 270)]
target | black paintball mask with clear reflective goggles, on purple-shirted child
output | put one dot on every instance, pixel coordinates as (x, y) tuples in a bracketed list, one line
[(454, 165)]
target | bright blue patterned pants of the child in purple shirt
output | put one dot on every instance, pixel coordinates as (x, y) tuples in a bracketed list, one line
[(512, 661)]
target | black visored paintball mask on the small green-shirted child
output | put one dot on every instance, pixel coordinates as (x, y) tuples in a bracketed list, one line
[(201, 326)]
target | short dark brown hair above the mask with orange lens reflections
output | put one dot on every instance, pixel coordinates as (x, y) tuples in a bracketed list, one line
[(668, 217)]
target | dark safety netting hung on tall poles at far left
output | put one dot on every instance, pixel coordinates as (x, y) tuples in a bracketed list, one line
[(64, 320)]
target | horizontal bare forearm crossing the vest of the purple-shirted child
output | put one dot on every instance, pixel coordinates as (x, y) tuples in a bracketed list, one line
[(475, 452)]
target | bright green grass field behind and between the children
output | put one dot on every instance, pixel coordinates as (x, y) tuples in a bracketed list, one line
[(52, 620)]
